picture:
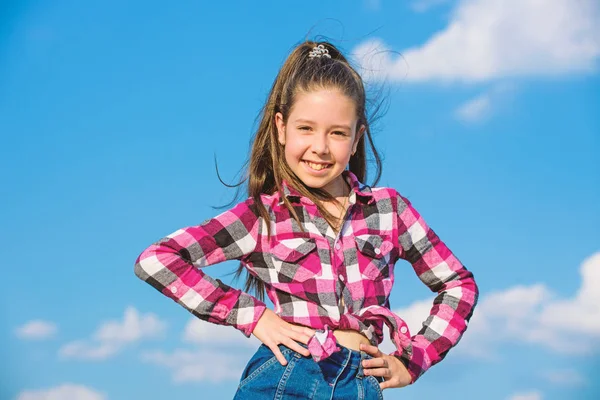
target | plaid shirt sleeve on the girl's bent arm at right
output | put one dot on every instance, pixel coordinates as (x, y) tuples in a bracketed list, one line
[(442, 272)]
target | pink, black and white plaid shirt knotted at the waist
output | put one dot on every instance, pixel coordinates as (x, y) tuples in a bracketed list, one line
[(316, 277)]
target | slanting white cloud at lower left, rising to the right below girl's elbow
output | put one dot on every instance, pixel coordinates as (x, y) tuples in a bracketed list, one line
[(112, 336)]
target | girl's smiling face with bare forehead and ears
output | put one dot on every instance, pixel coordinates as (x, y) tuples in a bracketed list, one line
[(319, 136)]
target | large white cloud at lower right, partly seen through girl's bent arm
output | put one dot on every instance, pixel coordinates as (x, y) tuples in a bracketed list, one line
[(531, 314)]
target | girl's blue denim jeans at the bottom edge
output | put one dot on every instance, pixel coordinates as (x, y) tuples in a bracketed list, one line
[(339, 376)]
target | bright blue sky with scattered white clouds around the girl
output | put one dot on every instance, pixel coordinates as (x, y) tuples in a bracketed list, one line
[(111, 114)]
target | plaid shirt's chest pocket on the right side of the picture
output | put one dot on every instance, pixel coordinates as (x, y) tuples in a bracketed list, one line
[(374, 256)]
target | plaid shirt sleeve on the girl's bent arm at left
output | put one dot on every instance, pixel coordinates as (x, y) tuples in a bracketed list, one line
[(172, 264)]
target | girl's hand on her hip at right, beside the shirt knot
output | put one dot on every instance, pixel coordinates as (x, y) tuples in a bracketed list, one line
[(389, 367)]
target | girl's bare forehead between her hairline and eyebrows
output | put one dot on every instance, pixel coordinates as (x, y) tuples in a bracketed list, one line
[(323, 105)]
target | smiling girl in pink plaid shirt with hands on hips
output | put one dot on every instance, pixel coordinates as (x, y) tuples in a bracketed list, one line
[(323, 245)]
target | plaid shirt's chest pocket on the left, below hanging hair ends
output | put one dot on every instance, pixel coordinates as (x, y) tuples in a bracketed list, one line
[(295, 260)]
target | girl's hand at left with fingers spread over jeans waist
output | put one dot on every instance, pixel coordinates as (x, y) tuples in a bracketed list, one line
[(272, 331)]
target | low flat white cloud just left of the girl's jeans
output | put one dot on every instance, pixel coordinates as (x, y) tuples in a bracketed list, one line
[(200, 365)]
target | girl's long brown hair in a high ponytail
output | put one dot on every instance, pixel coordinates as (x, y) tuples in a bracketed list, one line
[(267, 168)]
